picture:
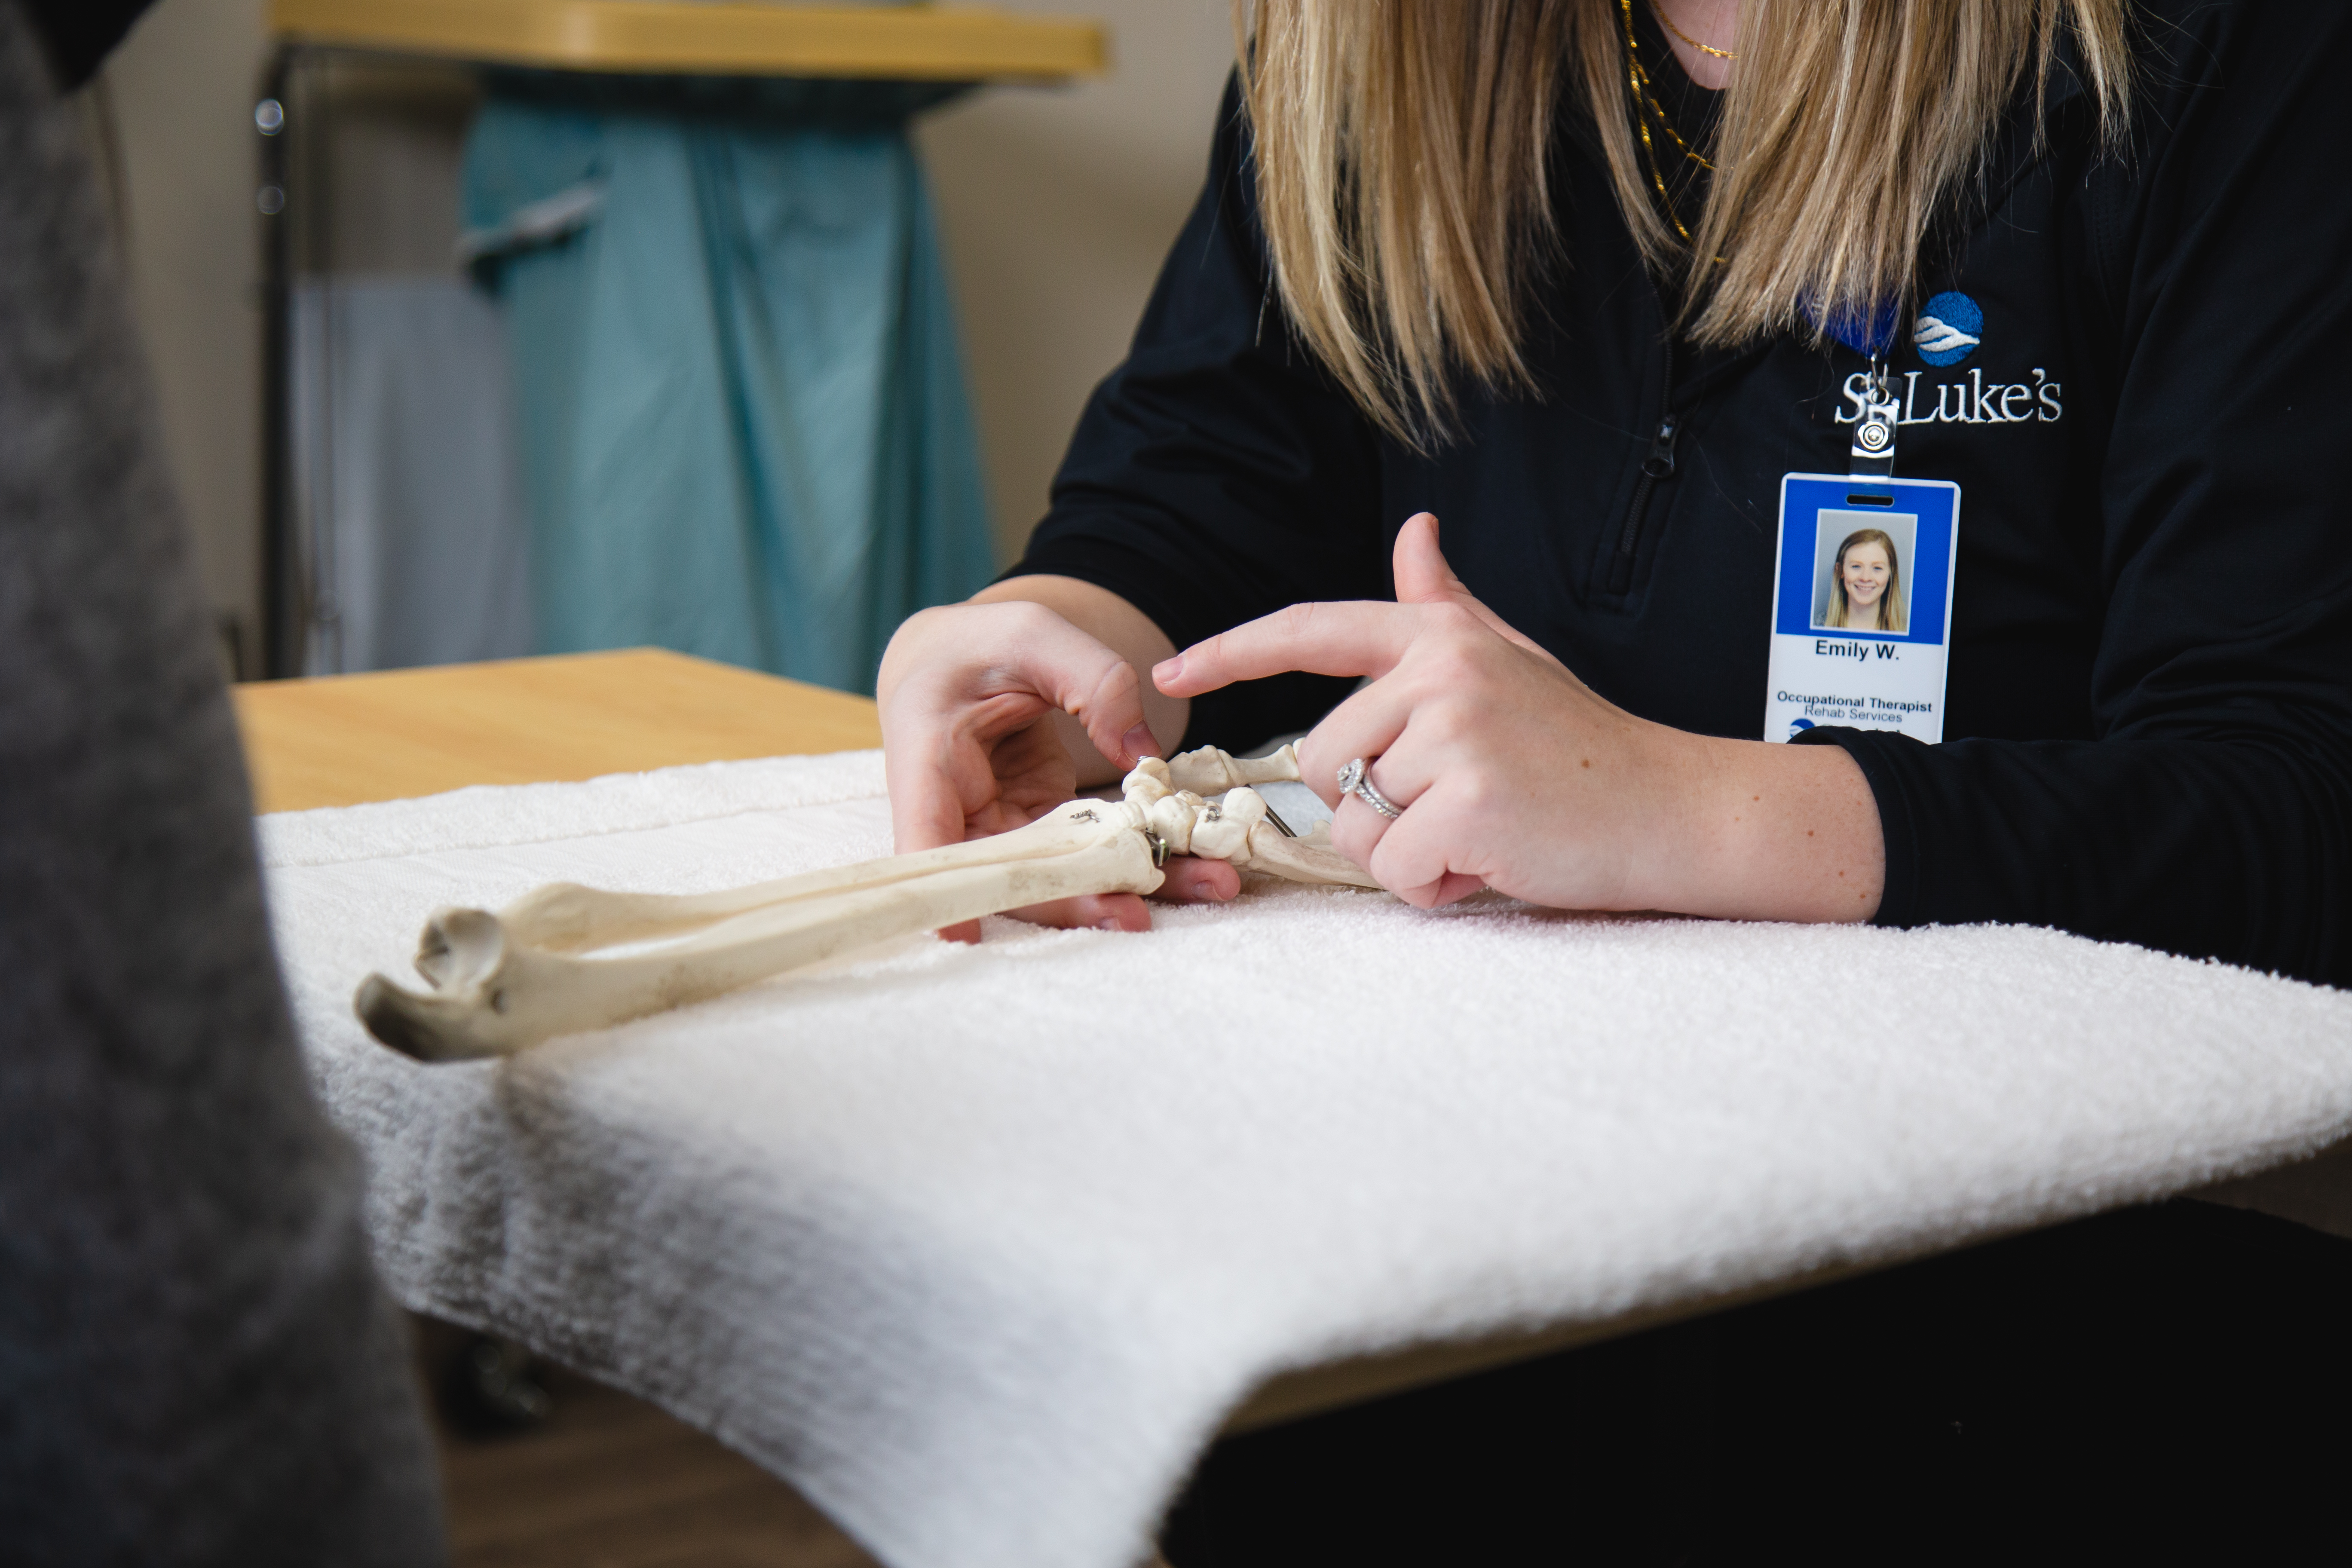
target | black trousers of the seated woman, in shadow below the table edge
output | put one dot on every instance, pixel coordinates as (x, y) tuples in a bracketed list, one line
[(2153, 1386)]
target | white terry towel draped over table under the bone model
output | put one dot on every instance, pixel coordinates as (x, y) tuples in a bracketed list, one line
[(980, 1245)]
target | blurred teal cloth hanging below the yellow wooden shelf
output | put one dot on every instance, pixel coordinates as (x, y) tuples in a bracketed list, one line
[(742, 398)]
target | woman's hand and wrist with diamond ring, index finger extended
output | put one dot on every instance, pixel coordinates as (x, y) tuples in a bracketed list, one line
[(1516, 775)]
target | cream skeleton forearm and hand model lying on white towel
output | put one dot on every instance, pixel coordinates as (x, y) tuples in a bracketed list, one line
[(514, 979)]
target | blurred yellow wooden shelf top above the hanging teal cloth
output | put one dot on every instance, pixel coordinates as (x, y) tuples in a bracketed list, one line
[(693, 39)]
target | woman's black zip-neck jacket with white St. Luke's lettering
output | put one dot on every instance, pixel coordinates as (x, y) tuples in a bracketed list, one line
[(2149, 730)]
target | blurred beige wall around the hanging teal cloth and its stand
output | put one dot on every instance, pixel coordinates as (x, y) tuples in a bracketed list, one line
[(1057, 208)]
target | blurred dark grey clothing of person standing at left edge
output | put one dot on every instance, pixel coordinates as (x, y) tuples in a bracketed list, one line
[(196, 1362)]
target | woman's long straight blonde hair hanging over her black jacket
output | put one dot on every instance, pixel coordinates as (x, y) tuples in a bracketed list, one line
[(1403, 156)]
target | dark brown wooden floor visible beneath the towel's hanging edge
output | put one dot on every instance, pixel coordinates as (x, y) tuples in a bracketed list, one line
[(613, 1482)]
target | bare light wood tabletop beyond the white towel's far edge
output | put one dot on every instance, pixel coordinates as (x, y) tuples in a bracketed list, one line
[(347, 739)]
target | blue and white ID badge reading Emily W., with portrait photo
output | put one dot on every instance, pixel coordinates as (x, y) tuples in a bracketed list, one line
[(1862, 622)]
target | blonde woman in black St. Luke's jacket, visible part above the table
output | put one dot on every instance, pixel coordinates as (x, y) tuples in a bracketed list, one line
[(1490, 340)]
